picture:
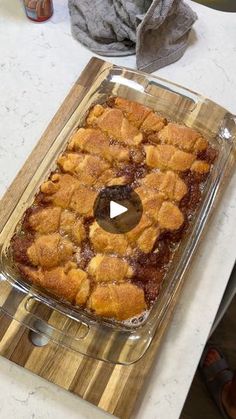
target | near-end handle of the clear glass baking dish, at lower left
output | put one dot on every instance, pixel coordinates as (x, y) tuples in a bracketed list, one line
[(93, 339)]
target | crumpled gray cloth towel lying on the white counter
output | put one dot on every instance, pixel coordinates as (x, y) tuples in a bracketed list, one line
[(156, 30)]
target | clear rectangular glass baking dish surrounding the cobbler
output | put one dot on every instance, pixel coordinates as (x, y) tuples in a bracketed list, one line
[(74, 328)]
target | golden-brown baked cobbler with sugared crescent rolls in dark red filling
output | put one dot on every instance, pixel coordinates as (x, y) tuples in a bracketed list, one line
[(60, 247)]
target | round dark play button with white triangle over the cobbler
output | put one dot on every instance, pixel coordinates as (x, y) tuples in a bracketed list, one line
[(118, 209)]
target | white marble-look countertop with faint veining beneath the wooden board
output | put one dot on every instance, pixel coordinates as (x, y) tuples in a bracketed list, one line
[(38, 65)]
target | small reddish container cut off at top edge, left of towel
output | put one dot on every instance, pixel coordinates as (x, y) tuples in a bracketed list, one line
[(38, 10)]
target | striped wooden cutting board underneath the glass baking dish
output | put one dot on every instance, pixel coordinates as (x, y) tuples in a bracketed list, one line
[(114, 388)]
